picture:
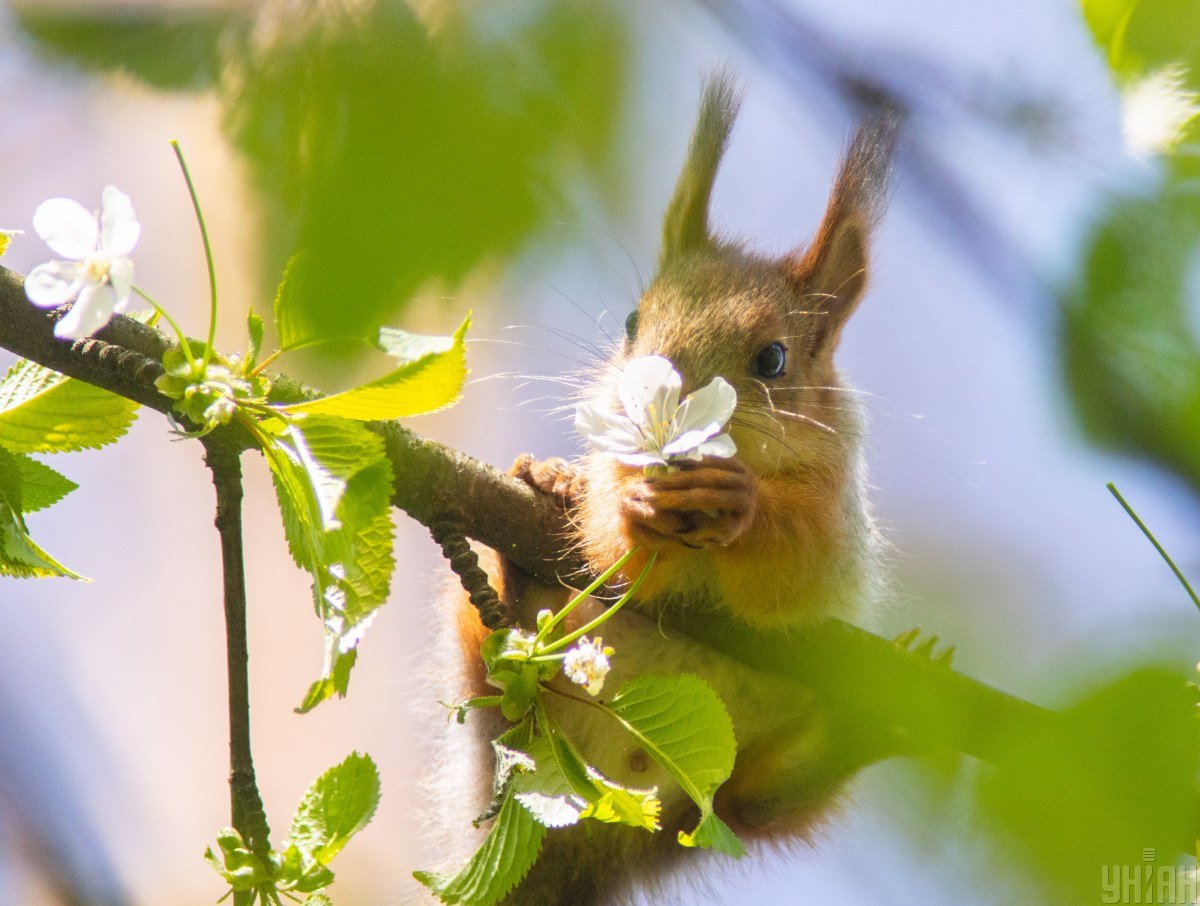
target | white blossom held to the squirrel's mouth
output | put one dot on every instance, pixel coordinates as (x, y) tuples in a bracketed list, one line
[(656, 428)]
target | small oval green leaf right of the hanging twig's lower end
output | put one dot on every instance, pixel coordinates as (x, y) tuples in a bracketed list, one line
[(338, 806)]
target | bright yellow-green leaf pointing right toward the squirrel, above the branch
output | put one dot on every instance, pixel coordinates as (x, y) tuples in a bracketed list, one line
[(428, 383)]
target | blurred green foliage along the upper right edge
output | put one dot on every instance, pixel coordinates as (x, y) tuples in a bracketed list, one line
[(1130, 327)]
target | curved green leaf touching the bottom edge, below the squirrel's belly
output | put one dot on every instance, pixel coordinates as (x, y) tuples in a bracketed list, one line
[(508, 854)]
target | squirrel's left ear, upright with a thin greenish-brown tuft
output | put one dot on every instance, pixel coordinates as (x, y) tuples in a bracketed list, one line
[(686, 229)]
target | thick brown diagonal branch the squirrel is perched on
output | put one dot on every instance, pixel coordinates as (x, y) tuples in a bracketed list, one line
[(863, 676)]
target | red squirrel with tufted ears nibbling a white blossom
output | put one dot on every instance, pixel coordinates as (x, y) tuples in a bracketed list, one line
[(779, 536)]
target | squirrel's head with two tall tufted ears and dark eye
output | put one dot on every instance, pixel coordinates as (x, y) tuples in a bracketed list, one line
[(767, 326)]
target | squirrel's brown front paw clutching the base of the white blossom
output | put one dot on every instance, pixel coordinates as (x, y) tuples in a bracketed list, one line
[(703, 505)]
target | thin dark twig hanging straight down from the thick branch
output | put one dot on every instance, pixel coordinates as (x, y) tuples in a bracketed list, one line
[(247, 805)]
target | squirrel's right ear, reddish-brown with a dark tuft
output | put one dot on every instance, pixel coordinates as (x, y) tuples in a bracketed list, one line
[(833, 272)]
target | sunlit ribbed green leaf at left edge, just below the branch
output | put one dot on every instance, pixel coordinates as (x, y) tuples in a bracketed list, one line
[(45, 412)]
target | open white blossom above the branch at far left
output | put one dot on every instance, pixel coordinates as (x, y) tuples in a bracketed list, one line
[(98, 267)]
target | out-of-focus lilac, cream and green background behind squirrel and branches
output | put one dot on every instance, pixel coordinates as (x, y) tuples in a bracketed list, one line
[(1031, 333)]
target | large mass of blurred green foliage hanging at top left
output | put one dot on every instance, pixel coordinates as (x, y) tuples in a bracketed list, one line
[(391, 151)]
